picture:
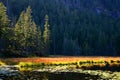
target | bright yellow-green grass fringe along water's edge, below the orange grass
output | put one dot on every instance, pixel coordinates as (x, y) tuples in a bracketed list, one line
[(80, 64)]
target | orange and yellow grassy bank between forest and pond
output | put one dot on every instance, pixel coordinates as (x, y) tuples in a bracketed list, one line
[(95, 63)]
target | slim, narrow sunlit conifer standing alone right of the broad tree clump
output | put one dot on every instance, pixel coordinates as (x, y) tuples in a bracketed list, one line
[(46, 35)]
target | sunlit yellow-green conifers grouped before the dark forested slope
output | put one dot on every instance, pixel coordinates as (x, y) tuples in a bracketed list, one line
[(26, 36)]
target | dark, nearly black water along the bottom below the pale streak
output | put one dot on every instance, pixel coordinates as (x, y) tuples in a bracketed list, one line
[(30, 75)]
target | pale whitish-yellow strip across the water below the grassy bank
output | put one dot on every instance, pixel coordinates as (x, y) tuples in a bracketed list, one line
[(8, 71)]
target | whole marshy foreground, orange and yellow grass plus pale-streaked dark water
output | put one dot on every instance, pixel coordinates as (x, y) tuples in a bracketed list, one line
[(60, 69)]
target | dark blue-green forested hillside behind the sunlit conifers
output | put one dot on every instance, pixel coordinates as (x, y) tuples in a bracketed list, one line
[(75, 27)]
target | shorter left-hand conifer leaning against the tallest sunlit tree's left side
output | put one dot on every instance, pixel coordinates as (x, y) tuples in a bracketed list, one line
[(19, 31)]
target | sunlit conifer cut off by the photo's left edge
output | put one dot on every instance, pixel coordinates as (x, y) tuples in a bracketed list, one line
[(6, 32)]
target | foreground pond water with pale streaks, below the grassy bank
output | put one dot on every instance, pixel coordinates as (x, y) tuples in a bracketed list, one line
[(60, 74)]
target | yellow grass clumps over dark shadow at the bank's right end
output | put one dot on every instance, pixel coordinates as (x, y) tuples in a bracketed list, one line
[(98, 64)]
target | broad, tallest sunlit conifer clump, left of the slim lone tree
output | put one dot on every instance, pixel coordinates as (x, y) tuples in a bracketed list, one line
[(26, 31)]
